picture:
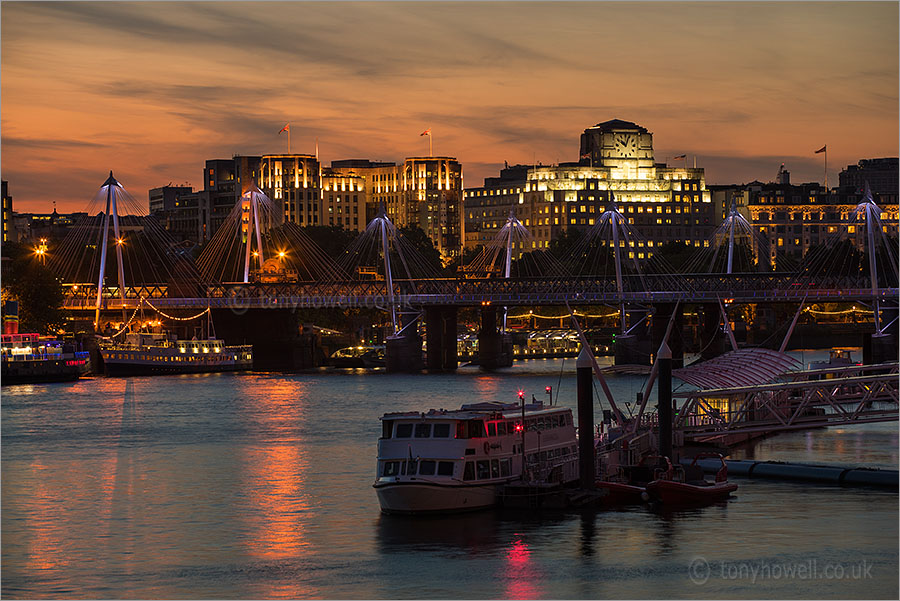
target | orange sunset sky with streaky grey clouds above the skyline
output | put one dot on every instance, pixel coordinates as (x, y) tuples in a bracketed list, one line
[(151, 90)]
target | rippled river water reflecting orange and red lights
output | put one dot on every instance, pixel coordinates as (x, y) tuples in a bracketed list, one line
[(259, 486)]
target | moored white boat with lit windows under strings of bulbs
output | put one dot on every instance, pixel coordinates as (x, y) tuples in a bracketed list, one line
[(154, 354)]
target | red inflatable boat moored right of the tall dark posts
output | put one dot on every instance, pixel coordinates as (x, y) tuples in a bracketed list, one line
[(686, 486)]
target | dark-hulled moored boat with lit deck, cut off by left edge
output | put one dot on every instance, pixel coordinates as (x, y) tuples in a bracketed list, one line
[(31, 359)]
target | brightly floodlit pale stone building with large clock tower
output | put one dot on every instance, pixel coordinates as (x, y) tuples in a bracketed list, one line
[(662, 203)]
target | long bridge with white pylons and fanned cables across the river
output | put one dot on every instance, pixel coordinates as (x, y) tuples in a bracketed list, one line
[(117, 258)]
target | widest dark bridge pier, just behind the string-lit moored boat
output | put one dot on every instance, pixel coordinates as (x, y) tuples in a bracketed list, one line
[(275, 335)]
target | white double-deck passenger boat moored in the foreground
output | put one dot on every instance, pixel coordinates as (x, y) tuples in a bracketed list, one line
[(449, 461)]
